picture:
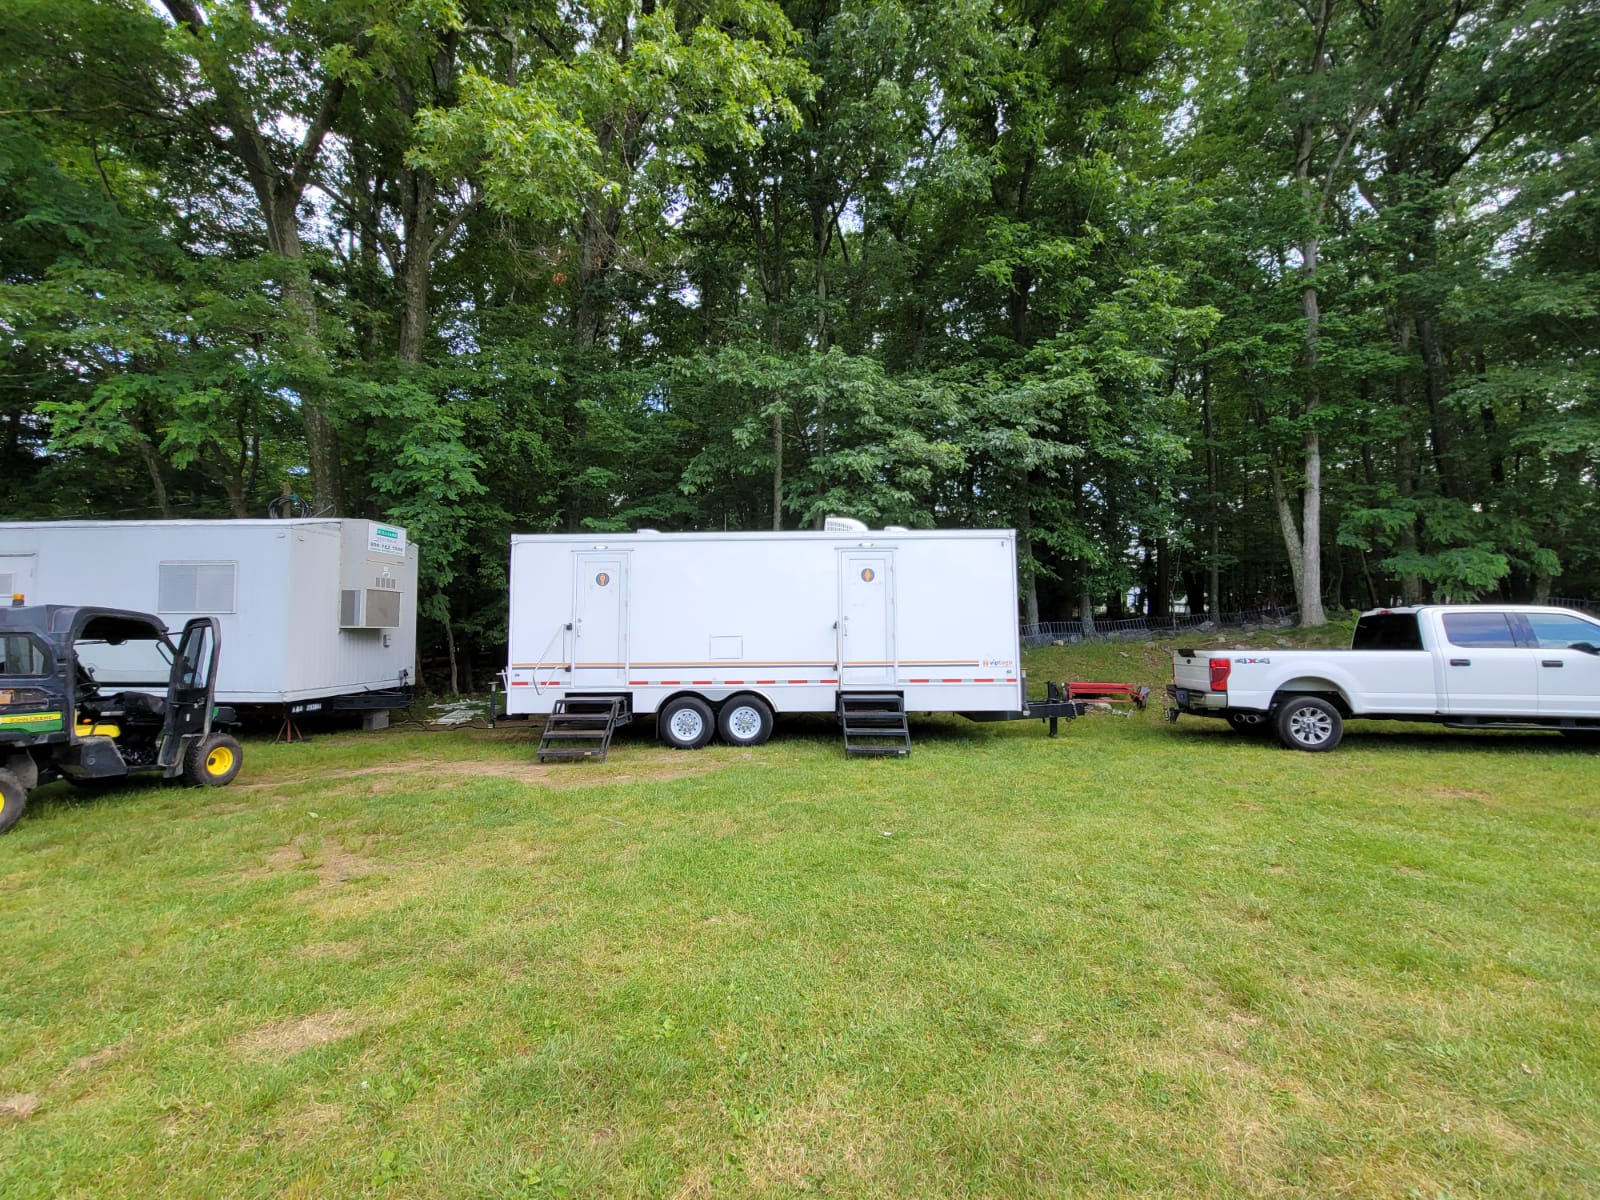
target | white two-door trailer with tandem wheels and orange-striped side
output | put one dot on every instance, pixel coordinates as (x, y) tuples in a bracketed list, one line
[(721, 631)]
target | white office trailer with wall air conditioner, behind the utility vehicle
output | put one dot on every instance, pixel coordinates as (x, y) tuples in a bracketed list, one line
[(314, 614)]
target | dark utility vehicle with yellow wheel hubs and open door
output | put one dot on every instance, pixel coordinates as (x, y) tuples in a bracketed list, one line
[(97, 695)]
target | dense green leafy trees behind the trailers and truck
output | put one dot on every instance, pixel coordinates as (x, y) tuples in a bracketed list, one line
[(1233, 303)]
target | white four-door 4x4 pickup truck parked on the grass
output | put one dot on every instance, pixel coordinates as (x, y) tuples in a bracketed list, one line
[(1470, 666)]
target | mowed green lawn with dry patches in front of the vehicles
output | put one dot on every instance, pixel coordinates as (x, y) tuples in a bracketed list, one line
[(1132, 961)]
